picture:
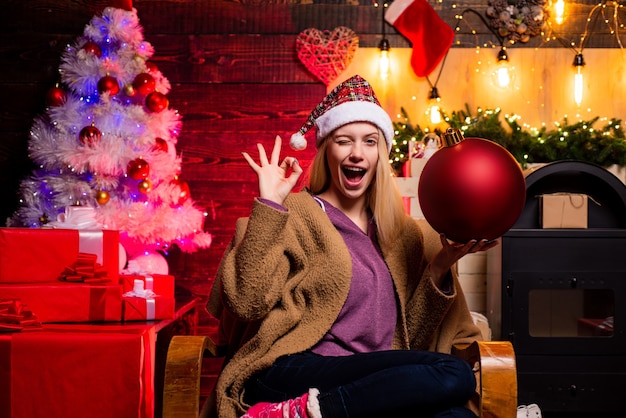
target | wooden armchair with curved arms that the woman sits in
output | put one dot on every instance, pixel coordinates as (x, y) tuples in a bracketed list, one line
[(493, 363)]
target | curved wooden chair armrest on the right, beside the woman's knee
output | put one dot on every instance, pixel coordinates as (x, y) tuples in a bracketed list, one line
[(496, 376)]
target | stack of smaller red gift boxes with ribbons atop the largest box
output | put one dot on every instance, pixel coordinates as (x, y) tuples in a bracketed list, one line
[(71, 275)]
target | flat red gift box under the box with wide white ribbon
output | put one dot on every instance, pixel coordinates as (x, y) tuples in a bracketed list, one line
[(68, 302)]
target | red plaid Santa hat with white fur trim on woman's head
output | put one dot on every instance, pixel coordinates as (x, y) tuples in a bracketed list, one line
[(353, 100)]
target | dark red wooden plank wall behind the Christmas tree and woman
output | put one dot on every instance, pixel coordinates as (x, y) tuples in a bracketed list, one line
[(235, 76)]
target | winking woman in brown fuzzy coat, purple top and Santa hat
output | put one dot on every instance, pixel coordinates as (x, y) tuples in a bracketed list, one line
[(325, 297)]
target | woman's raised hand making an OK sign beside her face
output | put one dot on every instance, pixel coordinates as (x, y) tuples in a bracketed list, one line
[(274, 183)]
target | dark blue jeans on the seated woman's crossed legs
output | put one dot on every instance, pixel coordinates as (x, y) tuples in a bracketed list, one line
[(398, 383)]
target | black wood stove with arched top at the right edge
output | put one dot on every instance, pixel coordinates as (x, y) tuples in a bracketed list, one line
[(560, 296)]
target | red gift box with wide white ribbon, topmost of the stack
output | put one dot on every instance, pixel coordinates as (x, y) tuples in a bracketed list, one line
[(39, 255)]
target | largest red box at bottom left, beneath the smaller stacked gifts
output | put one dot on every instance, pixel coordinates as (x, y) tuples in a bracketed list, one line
[(78, 370)]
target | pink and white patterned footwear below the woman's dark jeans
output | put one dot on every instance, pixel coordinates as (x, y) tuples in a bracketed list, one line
[(306, 406)]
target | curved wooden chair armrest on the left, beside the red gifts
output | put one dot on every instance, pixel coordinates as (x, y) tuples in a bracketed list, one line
[(183, 370)]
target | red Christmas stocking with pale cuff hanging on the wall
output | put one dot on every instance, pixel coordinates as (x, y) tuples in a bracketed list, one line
[(429, 35)]
